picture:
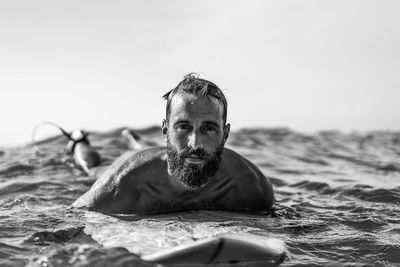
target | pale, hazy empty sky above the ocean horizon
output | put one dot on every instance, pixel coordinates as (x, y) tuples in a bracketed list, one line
[(97, 65)]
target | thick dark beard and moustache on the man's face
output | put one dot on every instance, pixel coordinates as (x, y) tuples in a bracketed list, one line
[(193, 176)]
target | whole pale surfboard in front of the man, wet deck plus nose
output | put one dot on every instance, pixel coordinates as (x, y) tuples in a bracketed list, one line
[(222, 238)]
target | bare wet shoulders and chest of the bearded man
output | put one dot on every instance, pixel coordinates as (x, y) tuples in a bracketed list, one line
[(139, 183)]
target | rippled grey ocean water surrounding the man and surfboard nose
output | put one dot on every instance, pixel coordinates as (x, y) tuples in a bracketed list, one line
[(338, 202)]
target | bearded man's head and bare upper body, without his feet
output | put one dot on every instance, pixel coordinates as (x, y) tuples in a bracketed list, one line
[(193, 172)]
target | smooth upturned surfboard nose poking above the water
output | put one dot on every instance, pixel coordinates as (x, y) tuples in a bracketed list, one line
[(226, 250)]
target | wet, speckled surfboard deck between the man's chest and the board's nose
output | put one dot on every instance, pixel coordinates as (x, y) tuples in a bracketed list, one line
[(148, 235)]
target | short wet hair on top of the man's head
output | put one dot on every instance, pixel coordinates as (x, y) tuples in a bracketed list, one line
[(192, 84)]
